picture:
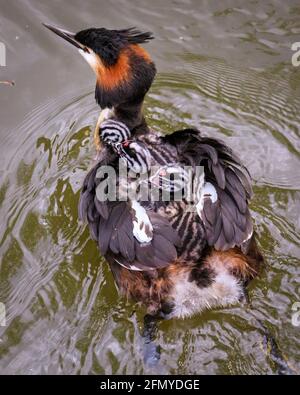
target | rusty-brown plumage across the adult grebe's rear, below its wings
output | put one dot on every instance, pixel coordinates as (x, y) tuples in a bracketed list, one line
[(153, 288)]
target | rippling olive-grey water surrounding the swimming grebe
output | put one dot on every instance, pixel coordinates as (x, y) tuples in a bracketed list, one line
[(63, 311)]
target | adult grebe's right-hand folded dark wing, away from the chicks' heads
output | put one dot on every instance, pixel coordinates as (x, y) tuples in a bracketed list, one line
[(222, 202)]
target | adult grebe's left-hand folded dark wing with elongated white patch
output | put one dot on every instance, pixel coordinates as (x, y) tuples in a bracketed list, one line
[(135, 236)]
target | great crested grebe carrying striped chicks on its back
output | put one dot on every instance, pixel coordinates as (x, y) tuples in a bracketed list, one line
[(174, 260)]
